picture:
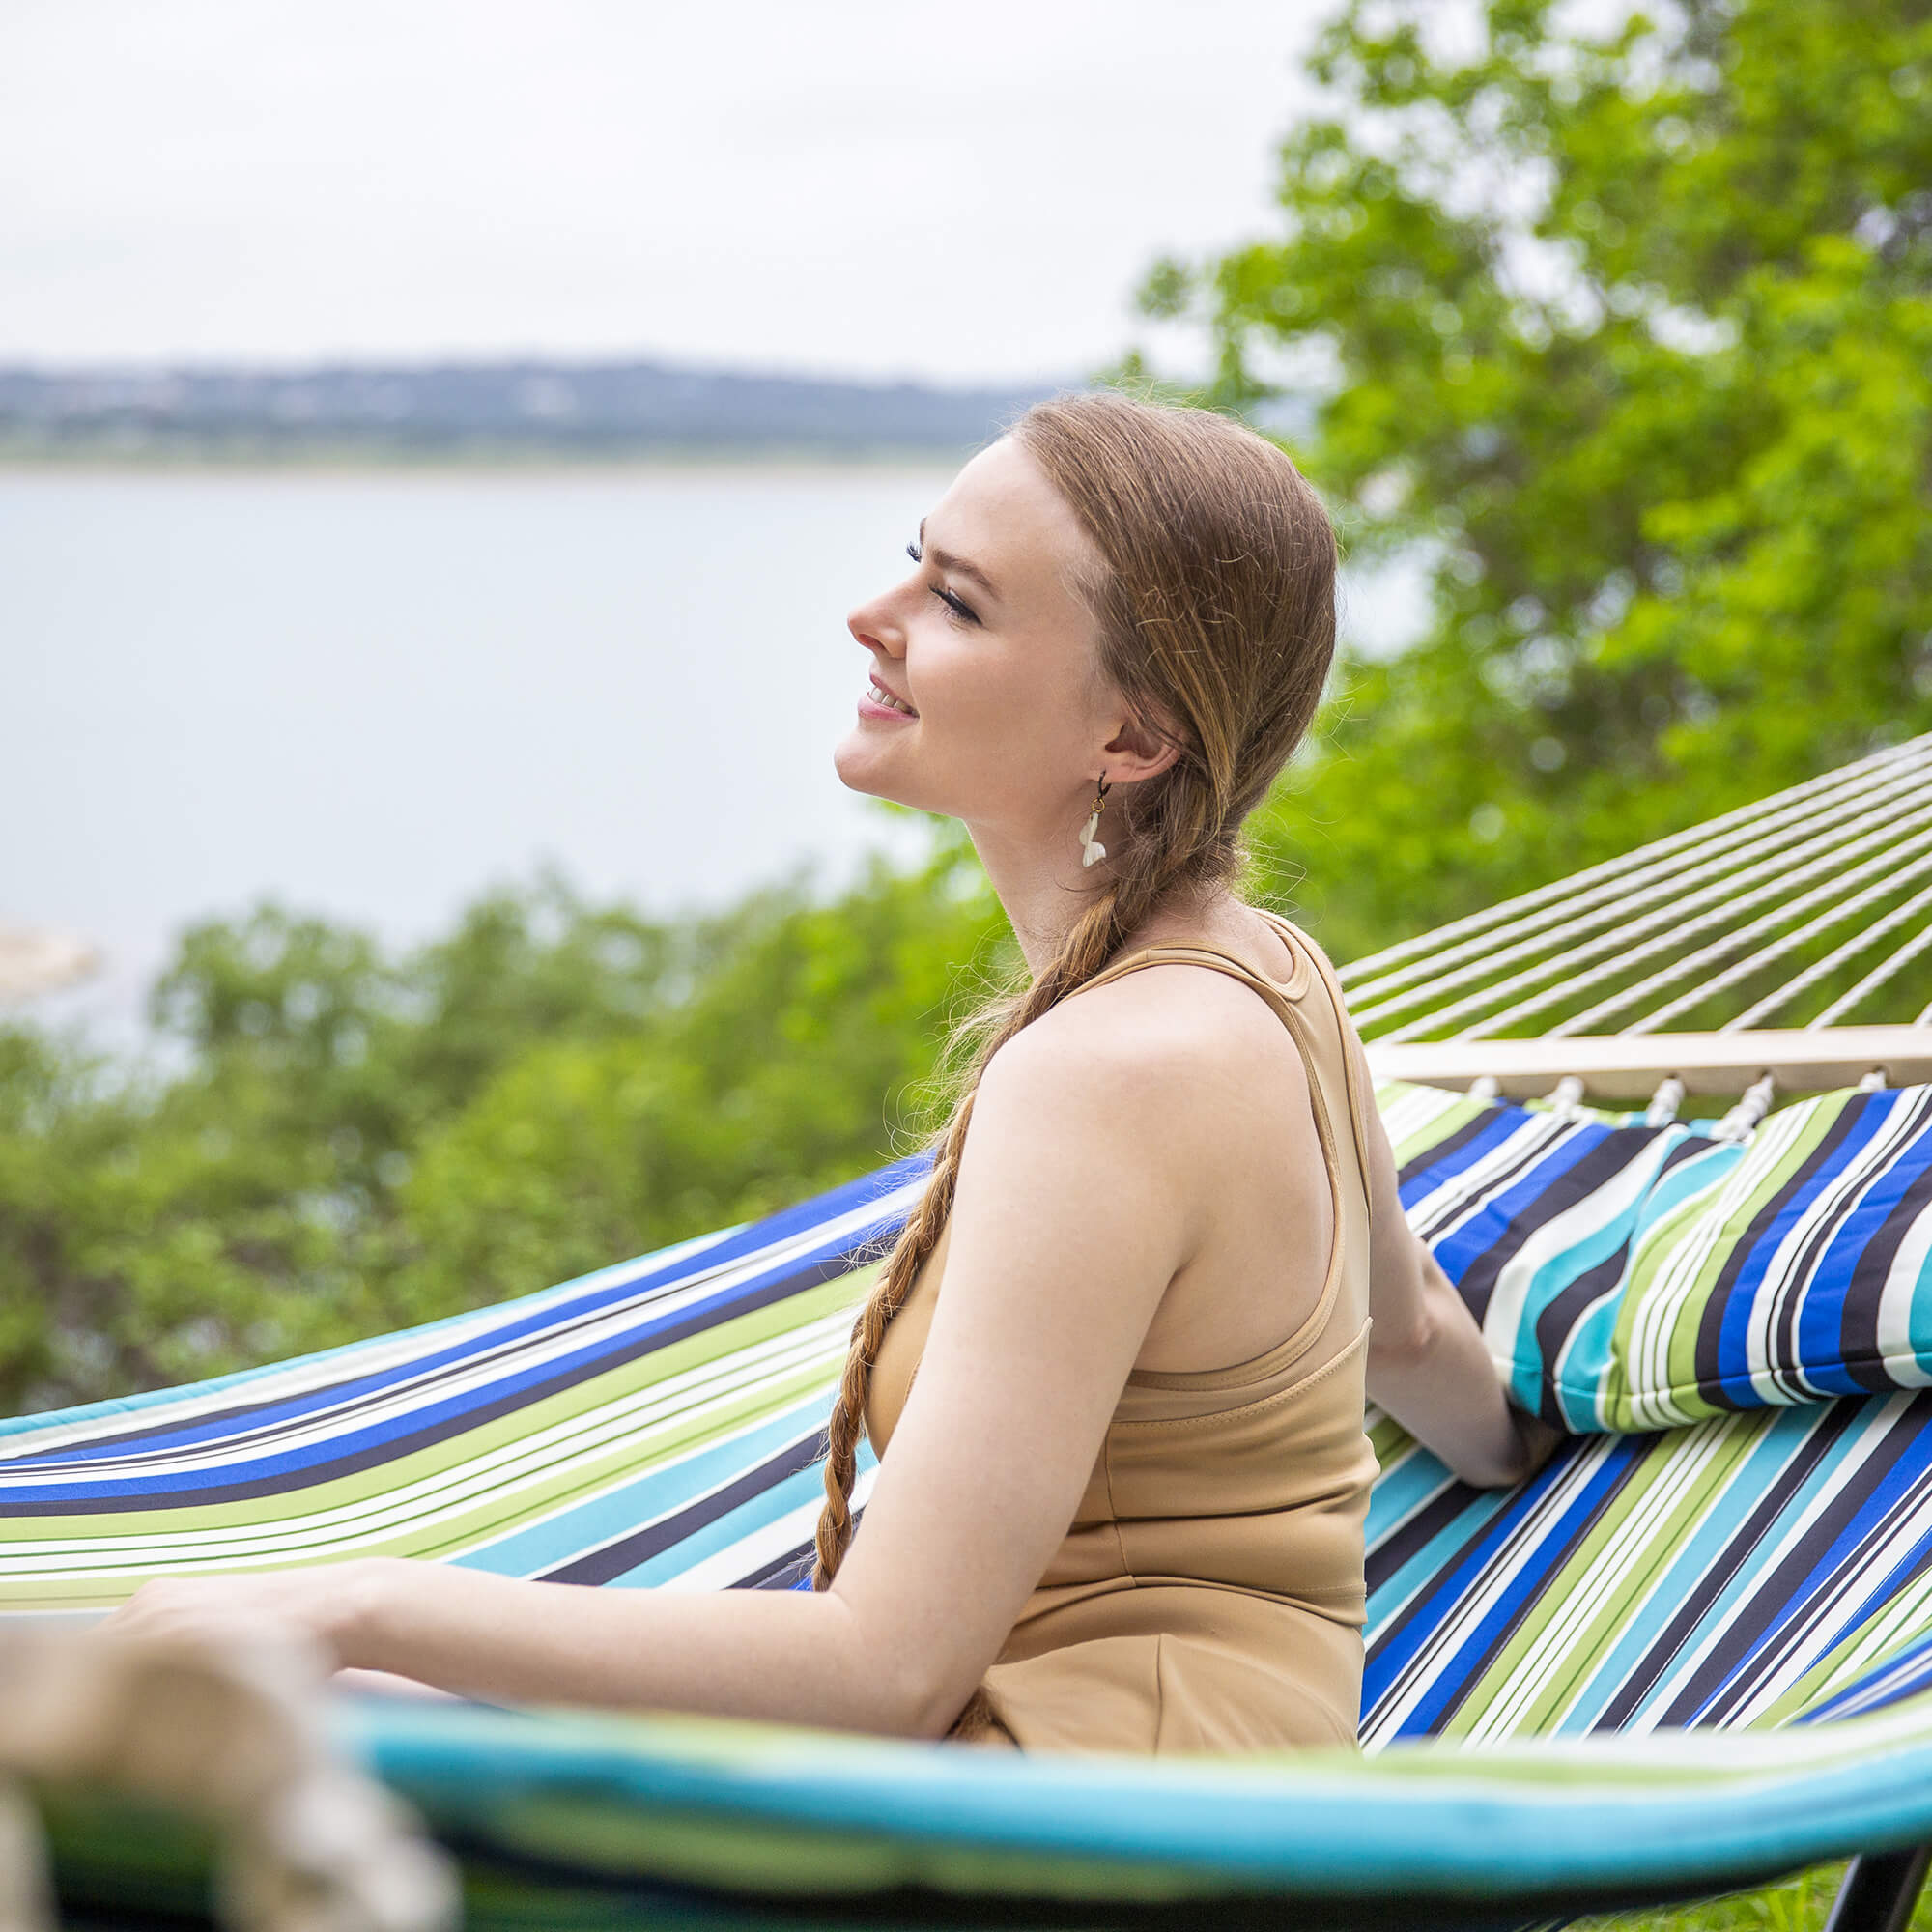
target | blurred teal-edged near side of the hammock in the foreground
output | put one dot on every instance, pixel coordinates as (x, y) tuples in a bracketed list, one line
[(791, 1813)]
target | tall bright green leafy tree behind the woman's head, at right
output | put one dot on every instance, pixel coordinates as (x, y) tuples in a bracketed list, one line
[(1635, 331)]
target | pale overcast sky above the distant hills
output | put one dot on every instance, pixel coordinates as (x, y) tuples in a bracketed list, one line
[(859, 186)]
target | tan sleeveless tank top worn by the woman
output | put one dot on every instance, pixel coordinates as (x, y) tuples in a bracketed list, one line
[(1210, 1593)]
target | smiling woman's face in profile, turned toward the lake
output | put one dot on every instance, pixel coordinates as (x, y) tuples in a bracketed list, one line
[(996, 656)]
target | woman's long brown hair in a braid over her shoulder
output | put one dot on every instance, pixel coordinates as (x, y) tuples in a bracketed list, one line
[(1216, 617)]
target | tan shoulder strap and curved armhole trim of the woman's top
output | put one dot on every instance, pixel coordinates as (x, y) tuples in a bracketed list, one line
[(1322, 1040)]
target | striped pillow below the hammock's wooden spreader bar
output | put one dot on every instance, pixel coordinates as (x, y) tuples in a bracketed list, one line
[(1634, 1278)]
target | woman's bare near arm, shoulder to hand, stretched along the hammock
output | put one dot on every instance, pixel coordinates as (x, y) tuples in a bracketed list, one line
[(1071, 1216)]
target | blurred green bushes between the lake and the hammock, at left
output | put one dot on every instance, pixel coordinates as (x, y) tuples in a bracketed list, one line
[(351, 1143)]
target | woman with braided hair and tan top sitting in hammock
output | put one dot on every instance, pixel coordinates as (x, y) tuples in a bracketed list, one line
[(1089, 1531)]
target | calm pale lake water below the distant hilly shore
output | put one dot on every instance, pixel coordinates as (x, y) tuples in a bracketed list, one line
[(376, 693)]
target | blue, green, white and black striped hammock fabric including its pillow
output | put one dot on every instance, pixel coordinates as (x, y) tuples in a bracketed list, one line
[(1666, 1664)]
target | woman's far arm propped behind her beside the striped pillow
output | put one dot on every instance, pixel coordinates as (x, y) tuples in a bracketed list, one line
[(1427, 1359)]
